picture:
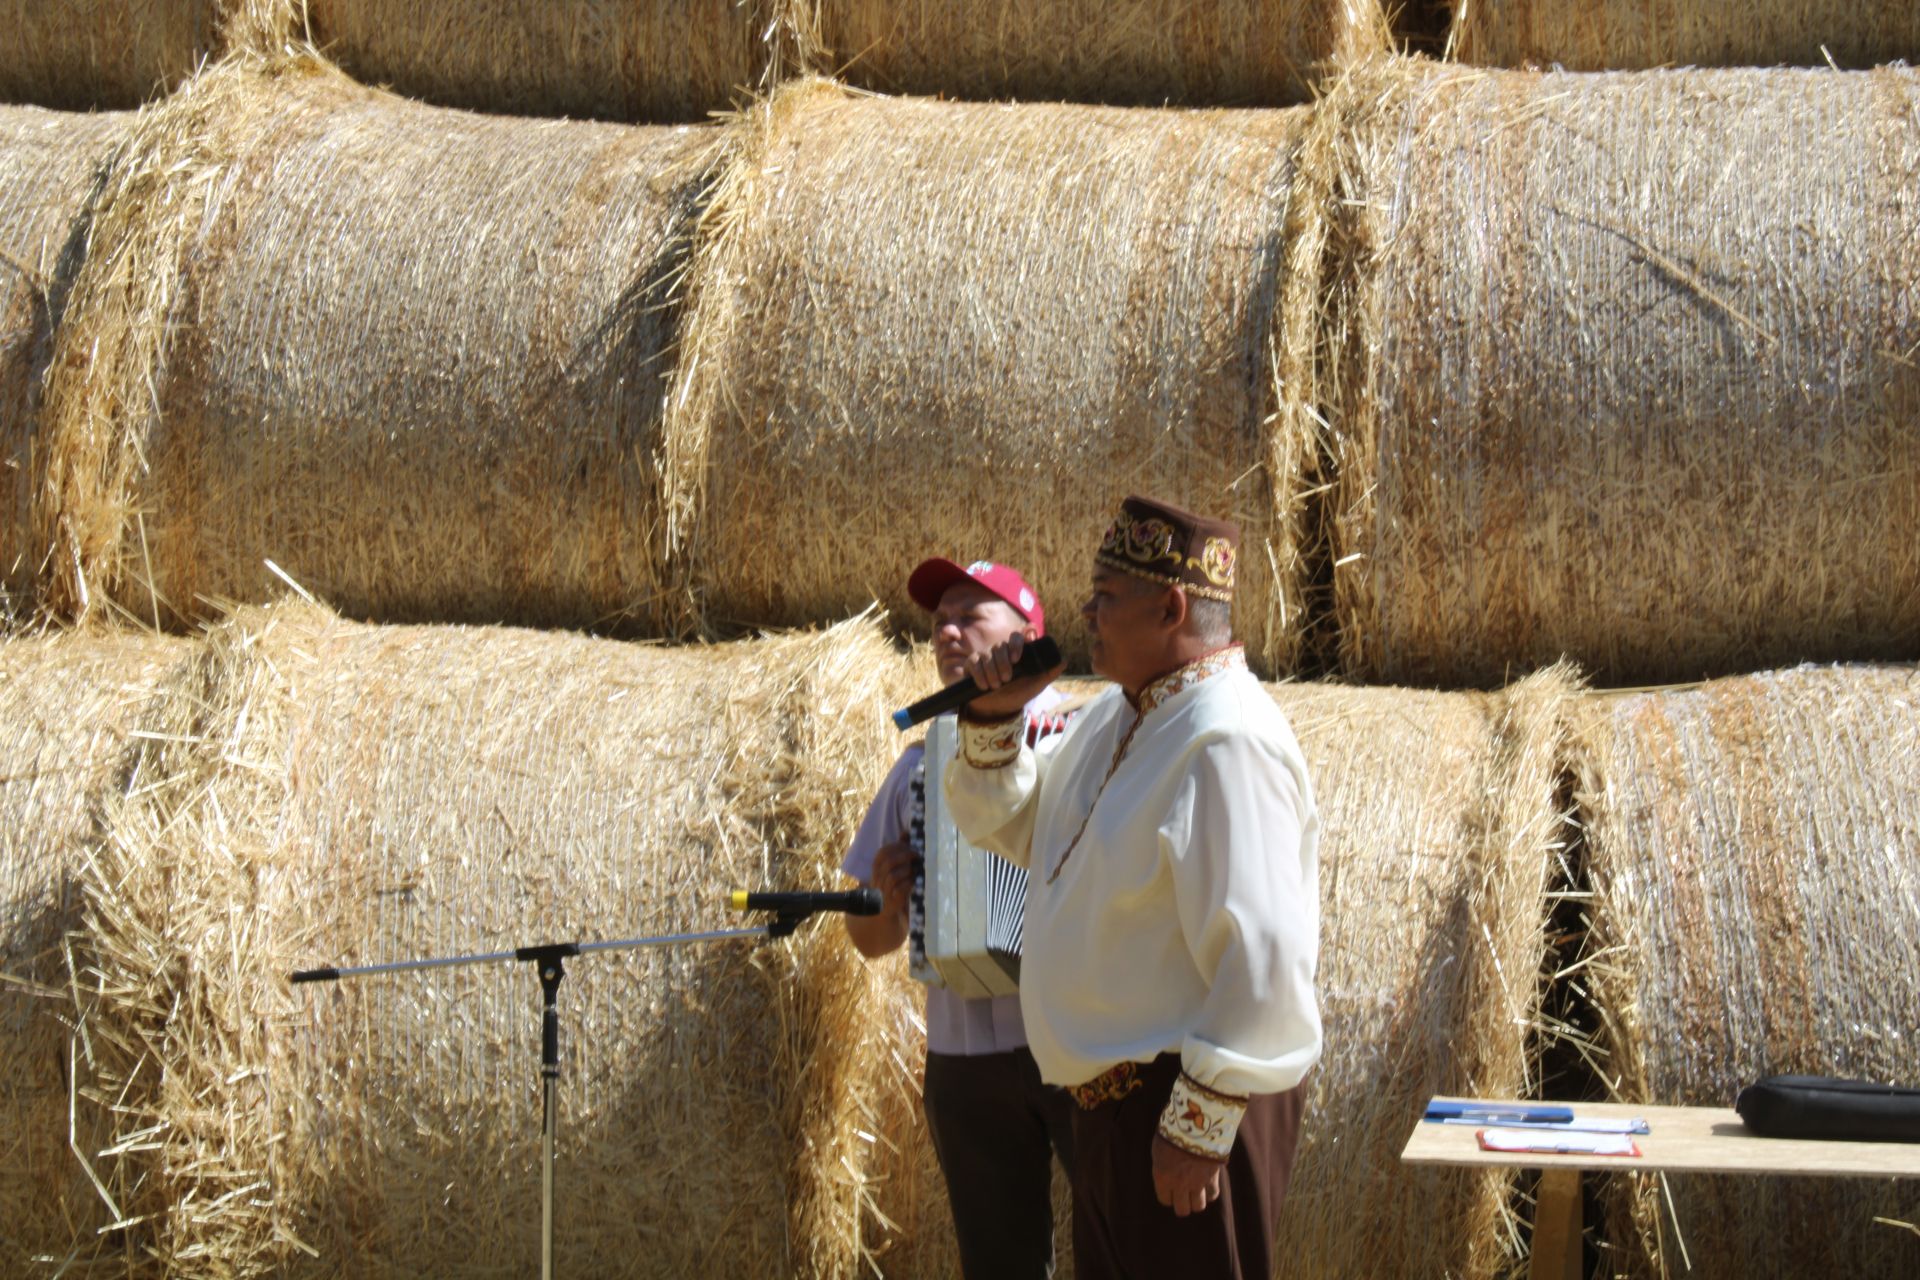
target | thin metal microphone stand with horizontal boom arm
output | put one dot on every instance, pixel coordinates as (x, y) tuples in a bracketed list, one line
[(550, 962)]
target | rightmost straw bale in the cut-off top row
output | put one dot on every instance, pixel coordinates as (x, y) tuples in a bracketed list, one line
[(1629, 36)]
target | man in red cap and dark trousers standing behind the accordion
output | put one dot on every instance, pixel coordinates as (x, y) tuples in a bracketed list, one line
[(994, 1124)]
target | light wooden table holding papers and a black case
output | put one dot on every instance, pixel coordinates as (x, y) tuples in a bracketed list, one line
[(1683, 1141)]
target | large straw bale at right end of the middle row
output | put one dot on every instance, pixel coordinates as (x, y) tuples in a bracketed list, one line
[(1621, 373)]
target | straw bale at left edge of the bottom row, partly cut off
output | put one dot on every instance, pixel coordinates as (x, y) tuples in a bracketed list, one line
[(66, 709)]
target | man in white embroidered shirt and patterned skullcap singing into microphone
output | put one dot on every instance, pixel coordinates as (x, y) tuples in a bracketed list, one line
[(1174, 909)]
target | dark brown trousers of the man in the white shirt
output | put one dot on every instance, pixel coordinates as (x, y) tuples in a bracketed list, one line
[(1124, 1233)]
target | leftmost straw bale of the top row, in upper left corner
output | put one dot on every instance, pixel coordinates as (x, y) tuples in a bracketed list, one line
[(103, 55)]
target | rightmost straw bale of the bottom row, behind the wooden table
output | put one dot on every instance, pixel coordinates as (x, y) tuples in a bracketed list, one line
[(1756, 868)]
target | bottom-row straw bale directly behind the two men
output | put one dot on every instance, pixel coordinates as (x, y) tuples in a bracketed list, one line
[(1443, 838)]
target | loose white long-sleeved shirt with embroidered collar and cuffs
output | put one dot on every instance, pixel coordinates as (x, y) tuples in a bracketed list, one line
[(1174, 897)]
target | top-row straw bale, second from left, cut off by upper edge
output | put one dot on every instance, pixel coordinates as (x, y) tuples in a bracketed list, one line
[(623, 60)]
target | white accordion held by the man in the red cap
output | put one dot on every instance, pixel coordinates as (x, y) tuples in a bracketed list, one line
[(969, 905)]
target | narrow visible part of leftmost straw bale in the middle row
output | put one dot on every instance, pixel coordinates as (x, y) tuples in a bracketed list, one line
[(49, 162)]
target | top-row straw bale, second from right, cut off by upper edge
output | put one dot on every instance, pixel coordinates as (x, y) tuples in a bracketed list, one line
[(1149, 53)]
